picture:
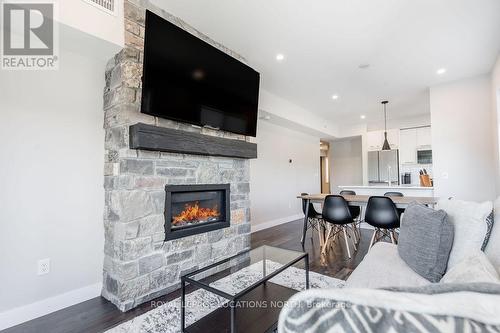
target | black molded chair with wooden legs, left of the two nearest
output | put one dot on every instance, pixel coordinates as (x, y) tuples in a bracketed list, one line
[(338, 218)]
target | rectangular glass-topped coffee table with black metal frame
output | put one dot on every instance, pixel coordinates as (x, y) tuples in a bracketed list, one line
[(252, 302)]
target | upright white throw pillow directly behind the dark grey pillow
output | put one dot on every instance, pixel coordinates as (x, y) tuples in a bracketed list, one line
[(469, 220)]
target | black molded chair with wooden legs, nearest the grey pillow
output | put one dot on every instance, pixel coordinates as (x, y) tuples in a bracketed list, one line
[(382, 214)]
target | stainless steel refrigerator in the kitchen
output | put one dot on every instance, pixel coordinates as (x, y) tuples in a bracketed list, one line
[(382, 165)]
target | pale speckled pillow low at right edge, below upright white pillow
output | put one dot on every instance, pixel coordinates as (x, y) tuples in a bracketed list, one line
[(476, 268)]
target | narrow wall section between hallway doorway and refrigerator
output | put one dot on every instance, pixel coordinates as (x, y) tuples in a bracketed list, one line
[(346, 160)]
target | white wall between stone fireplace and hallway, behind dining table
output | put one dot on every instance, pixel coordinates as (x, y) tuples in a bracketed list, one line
[(274, 182)]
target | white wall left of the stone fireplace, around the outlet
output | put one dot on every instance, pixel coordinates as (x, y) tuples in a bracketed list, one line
[(51, 192)]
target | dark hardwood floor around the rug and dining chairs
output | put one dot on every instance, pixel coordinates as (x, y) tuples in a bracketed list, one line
[(99, 315)]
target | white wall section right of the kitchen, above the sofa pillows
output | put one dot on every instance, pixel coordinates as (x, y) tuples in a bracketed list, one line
[(463, 139)]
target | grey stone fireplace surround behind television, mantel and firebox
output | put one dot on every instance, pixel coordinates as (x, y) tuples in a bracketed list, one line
[(138, 264)]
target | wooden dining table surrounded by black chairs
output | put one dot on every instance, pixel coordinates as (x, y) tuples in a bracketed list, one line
[(360, 201)]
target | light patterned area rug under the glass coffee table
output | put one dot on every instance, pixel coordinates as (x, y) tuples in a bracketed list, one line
[(166, 317)]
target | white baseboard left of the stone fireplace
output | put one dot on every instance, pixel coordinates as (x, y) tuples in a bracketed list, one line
[(31, 311)]
